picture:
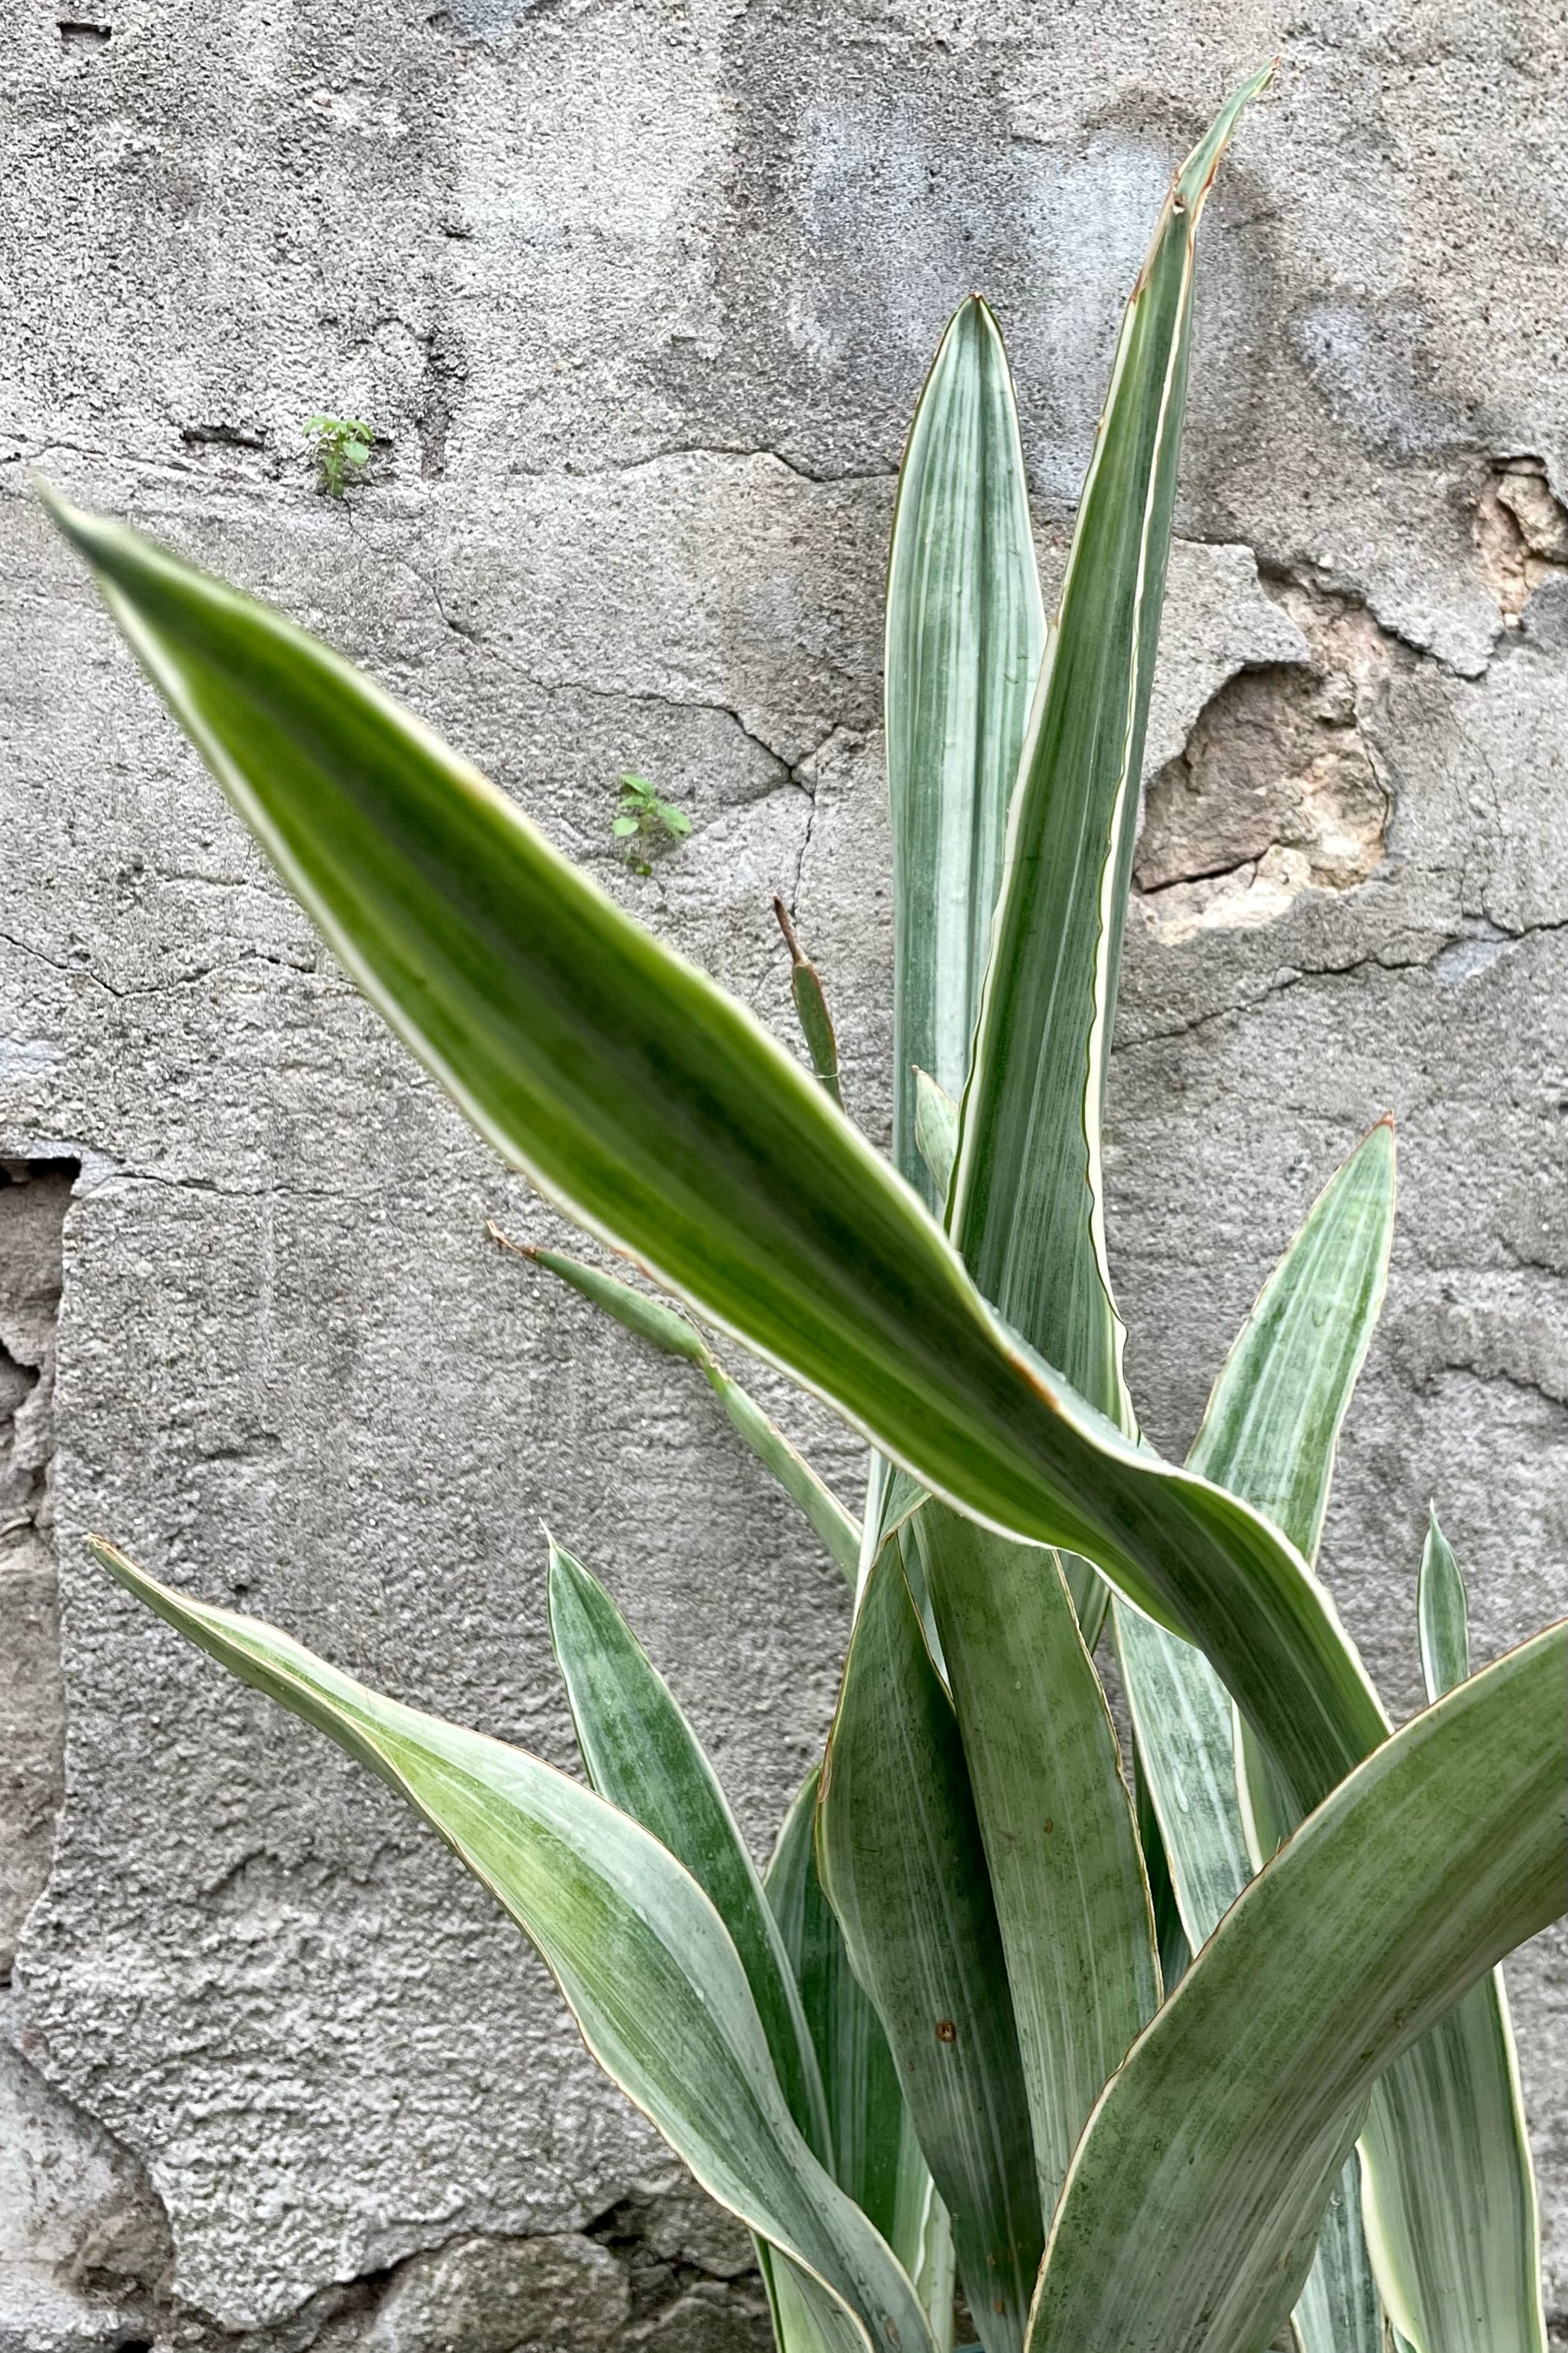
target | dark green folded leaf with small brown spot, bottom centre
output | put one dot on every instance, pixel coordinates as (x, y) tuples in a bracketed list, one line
[(902, 1862)]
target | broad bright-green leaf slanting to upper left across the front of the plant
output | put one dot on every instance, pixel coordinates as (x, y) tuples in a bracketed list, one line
[(666, 1121)]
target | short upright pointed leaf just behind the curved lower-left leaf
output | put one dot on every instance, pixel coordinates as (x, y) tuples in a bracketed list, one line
[(645, 1759)]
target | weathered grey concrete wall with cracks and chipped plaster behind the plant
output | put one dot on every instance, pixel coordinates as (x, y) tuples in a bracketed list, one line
[(638, 298)]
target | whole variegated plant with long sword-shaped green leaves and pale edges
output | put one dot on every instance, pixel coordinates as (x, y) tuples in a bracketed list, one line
[(986, 2008)]
